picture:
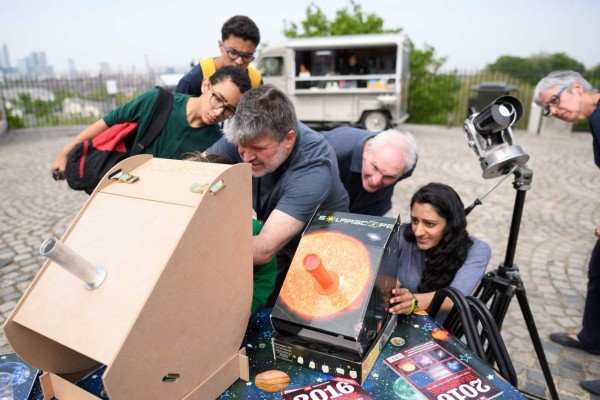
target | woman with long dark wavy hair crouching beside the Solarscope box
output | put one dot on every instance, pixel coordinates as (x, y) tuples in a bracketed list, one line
[(434, 252)]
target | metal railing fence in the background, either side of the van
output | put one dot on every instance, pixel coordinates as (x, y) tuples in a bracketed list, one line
[(441, 98)]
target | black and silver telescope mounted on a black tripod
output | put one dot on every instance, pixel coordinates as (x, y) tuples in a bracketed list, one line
[(489, 134)]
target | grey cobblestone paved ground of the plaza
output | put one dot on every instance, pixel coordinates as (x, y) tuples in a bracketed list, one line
[(555, 238)]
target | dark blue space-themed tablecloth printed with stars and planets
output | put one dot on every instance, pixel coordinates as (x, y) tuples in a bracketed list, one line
[(420, 361)]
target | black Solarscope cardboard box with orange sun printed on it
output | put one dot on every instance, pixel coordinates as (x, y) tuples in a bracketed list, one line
[(341, 328)]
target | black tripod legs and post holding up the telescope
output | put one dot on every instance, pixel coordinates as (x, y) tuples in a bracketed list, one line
[(501, 285)]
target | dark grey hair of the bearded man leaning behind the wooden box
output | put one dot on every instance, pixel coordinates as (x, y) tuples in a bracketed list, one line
[(262, 110)]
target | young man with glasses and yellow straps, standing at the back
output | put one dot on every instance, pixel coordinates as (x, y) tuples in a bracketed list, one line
[(239, 38)]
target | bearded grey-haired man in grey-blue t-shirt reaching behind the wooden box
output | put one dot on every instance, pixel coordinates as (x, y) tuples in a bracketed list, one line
[(294, 172)]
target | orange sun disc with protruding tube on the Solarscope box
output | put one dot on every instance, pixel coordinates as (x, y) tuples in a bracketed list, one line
[(342, 257)]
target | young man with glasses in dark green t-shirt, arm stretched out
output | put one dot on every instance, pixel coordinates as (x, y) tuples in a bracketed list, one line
[(193, 123)]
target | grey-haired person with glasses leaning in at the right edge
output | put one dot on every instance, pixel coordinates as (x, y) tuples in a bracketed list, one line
[(568, 96)]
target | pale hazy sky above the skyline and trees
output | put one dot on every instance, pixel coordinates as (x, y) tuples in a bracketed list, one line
[(125, 33)]
